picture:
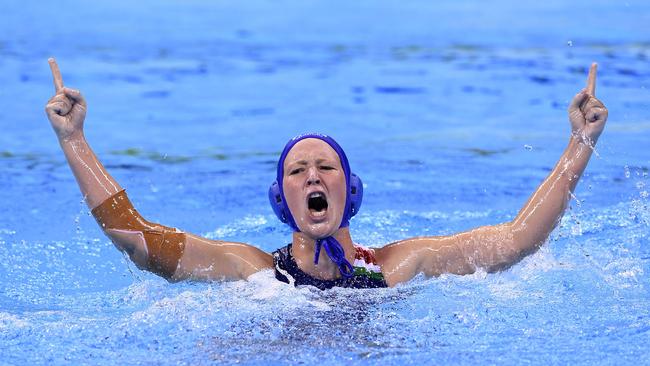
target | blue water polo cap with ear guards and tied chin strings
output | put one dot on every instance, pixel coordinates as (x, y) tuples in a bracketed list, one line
[(353, 199)]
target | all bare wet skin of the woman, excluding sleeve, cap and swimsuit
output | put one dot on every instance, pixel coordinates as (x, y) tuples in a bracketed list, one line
[(312, 166)]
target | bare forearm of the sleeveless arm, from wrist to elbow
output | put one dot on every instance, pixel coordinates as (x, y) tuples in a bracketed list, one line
[(544, 209)]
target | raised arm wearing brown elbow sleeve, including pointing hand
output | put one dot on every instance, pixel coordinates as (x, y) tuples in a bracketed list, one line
[(166, 251)]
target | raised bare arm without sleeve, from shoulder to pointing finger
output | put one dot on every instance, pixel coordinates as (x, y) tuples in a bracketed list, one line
[(497, 247)]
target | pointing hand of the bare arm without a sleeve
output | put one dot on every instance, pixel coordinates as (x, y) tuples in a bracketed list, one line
[(586, 113)]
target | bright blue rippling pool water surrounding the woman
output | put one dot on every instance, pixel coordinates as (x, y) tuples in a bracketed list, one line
[(451, 112)]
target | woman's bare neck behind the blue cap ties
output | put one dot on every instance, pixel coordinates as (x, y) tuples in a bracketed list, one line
[(303, 248)]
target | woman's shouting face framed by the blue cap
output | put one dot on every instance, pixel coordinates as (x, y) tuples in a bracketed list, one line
[(314, 187)]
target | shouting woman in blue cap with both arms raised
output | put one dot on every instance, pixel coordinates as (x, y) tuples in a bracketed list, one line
[(316, 194)]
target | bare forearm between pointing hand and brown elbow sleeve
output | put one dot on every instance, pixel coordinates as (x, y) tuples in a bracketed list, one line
[(94, 181)]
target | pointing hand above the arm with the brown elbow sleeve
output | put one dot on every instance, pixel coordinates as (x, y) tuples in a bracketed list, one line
[(66, 110)]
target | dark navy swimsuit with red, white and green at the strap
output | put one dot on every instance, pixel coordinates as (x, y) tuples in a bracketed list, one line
[(367, 273)]
